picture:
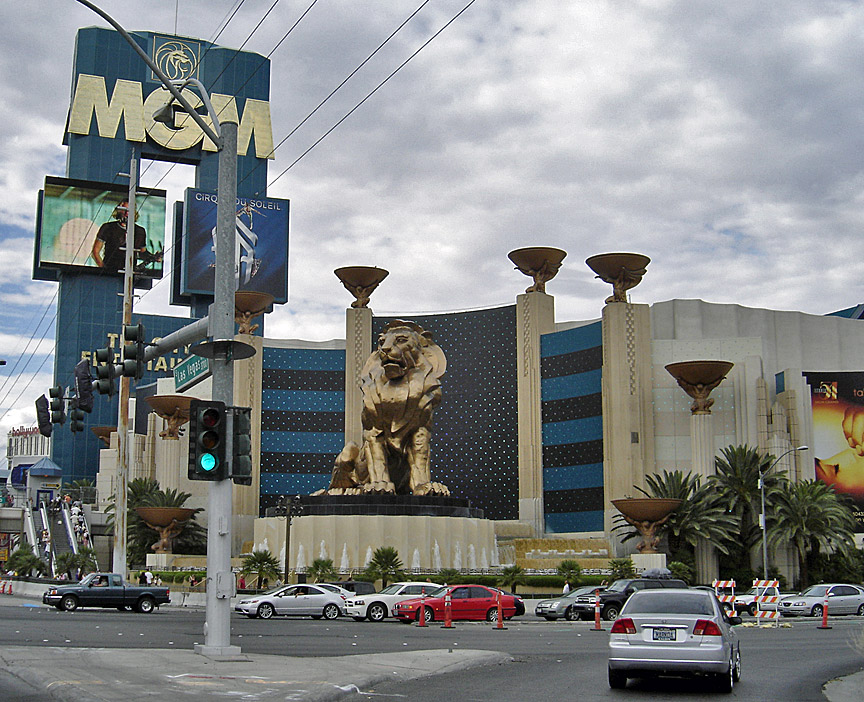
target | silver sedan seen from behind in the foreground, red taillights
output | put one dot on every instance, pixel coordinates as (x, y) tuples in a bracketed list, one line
[(674, 632)]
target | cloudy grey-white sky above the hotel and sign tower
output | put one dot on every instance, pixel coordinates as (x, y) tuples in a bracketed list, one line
[(723, 140)]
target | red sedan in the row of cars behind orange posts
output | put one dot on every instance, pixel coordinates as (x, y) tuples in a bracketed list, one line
[(466, 602)]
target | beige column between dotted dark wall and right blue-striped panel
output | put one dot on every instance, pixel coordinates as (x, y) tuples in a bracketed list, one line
[(535, 315)]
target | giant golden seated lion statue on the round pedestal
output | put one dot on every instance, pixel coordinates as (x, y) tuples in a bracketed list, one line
[(401, 387)]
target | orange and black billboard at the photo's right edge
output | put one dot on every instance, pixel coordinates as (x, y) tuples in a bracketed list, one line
[(837, 402)]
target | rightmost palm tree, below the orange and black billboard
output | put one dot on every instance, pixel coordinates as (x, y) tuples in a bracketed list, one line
[(811, 518)]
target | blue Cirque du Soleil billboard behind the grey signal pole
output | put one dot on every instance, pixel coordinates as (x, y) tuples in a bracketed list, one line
[(260, 248)]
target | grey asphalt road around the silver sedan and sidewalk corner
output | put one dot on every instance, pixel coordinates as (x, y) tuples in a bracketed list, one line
[(551, 659)]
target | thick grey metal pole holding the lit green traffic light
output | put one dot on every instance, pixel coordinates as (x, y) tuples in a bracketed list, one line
[(220, 579)]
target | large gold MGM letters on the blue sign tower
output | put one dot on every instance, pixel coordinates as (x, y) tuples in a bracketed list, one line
[(127, 101)]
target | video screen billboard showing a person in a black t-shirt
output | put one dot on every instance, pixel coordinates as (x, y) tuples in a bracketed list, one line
[(82, 224)]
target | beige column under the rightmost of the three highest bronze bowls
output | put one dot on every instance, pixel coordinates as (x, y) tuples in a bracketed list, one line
[(628, 419)]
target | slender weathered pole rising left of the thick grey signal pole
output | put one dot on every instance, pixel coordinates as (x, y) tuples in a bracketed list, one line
[(122, 482)]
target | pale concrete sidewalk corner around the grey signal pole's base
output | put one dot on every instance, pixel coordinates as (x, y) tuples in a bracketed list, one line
[(115, 675)]
